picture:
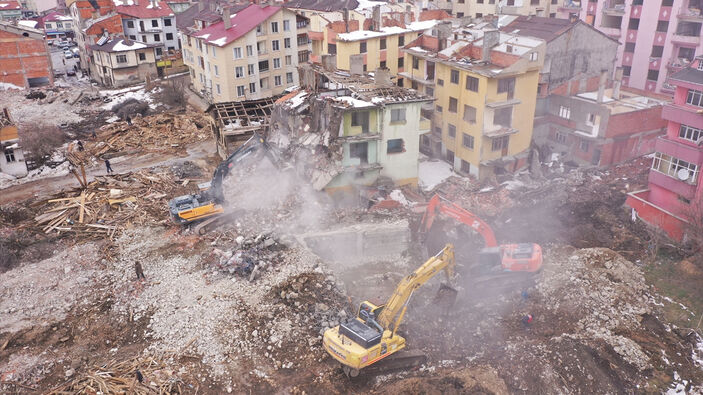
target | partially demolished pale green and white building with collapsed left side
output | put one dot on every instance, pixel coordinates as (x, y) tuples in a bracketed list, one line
[(347, 131)]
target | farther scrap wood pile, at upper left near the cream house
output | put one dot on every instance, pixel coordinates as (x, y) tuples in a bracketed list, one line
[(155, 133)]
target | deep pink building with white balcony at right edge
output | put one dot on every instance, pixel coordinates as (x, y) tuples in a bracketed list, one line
[(675, 195)]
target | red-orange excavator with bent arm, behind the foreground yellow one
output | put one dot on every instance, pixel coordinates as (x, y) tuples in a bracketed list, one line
[(519, 257)]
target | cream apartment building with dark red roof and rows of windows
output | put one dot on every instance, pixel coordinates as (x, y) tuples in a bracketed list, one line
[(251, 54)]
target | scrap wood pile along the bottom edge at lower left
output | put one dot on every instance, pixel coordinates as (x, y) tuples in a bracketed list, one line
[(121, 378)]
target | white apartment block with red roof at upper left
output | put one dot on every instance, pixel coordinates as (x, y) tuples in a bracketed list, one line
[(151, 22)]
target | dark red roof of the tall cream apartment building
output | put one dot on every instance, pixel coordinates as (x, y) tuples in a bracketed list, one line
[(242, 23)]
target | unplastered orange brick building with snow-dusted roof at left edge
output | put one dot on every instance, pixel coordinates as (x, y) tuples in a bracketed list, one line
[(24, 57)]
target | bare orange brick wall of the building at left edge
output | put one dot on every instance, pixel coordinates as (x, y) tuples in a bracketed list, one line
[(22, 58)]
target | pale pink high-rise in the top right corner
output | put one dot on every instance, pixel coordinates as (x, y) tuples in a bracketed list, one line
[(658, 38)]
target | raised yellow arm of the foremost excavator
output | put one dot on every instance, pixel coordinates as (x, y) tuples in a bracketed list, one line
[(392, 314)]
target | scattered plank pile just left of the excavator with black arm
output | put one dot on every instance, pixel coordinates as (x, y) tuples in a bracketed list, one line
[(109, 204)]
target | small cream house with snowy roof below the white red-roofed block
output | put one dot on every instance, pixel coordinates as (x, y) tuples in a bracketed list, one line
[(120, 61)]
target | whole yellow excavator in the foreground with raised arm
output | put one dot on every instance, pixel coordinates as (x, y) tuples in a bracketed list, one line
[(372, 335)]
